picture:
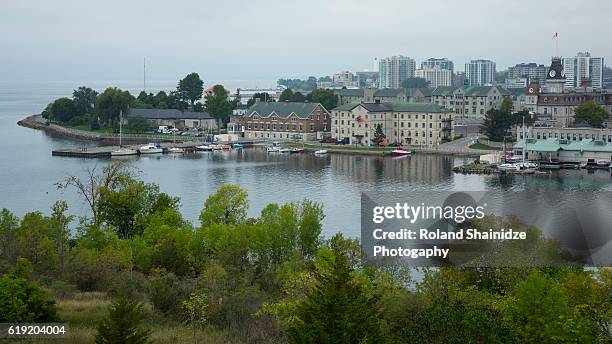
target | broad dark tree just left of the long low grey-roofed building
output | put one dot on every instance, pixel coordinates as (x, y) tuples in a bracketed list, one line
[(111, 103)]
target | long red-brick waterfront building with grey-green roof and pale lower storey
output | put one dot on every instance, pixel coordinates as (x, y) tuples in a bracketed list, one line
[(283, 120)]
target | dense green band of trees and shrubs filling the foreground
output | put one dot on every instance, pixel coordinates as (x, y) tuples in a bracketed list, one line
[(273, 278)]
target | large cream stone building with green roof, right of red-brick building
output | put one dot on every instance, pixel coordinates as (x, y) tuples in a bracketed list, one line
[(416, 124)]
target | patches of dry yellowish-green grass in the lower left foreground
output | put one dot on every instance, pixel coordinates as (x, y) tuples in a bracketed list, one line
[(83, 310)]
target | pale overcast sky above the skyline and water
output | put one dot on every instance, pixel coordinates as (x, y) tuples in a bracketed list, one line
[(260, 39)]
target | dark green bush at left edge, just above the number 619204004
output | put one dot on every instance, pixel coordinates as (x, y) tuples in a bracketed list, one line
[(24, 301)]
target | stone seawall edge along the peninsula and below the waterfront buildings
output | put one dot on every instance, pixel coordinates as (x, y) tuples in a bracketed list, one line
[(54, 129)]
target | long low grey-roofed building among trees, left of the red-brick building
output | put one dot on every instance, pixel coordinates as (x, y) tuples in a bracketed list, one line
[(176, 118)]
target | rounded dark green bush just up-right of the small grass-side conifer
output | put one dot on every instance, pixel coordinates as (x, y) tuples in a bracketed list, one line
[(165, 291)]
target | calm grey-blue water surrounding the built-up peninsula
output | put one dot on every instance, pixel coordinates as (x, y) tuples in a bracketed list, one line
[(28, 171)]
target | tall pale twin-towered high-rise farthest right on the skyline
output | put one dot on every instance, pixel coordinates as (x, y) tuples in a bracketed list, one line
[(583, 68)]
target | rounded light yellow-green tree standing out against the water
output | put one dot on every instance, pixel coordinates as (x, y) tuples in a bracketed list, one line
[(228, 205)]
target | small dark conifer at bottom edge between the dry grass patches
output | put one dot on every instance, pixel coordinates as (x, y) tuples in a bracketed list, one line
[(122, 324)]
